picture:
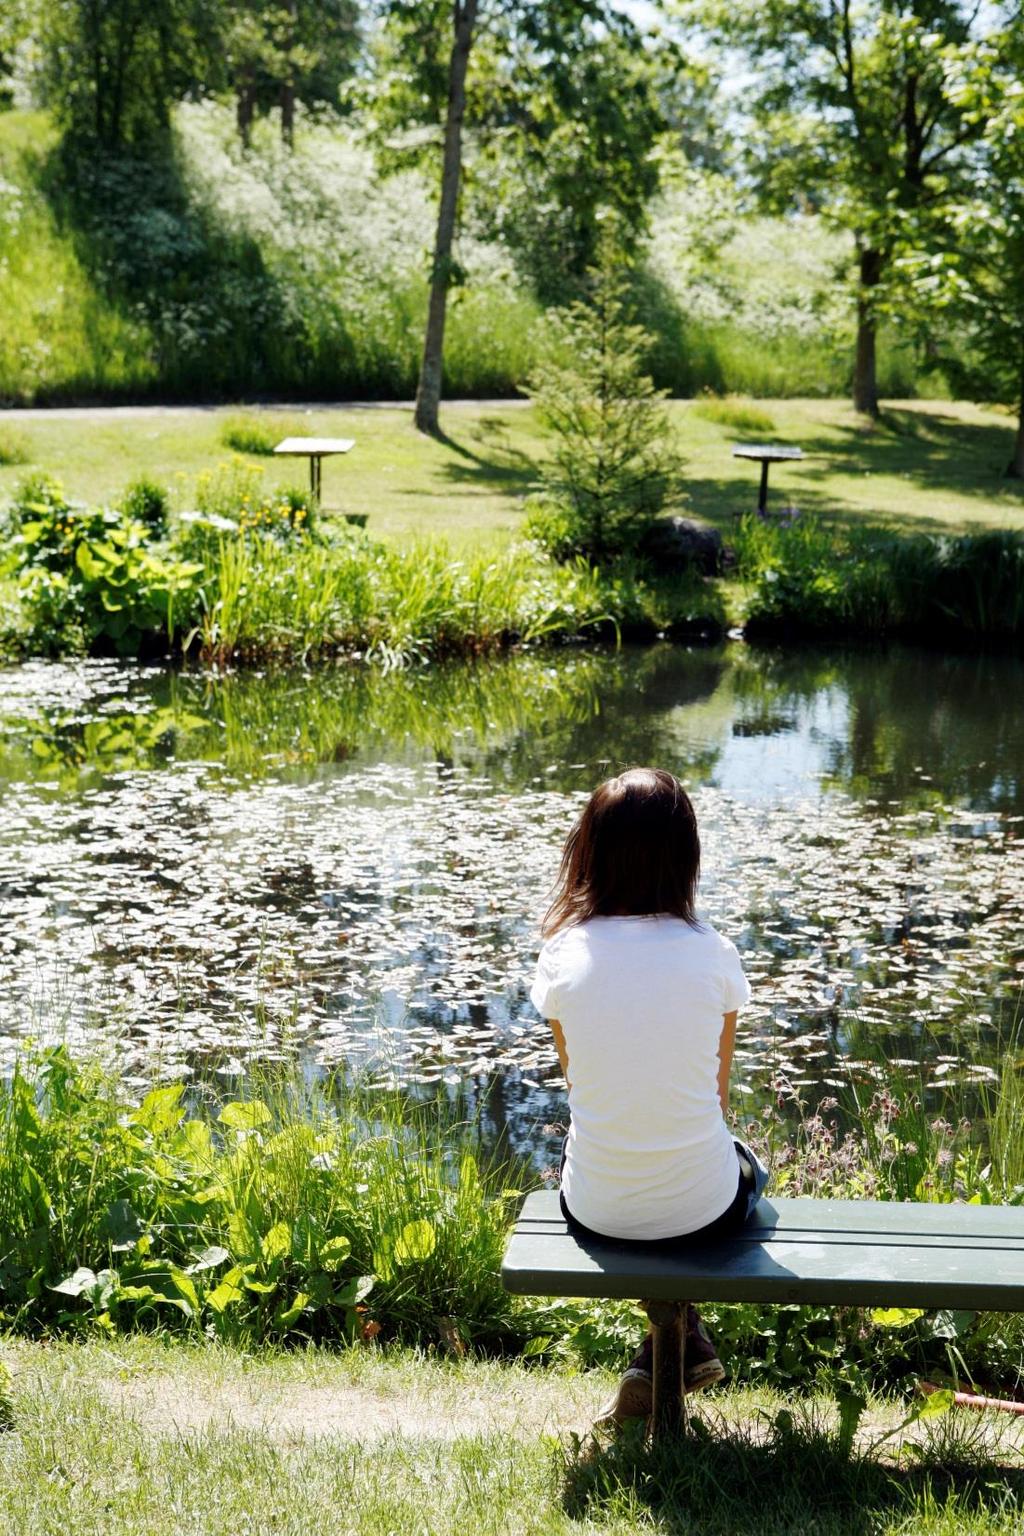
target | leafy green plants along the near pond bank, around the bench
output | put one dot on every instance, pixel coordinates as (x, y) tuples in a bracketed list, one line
[(296, 1208)]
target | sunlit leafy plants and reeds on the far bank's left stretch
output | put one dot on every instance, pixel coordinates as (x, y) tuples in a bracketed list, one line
[(253, 577)]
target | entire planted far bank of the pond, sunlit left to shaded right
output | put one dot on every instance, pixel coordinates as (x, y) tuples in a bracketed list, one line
[(256, 578)]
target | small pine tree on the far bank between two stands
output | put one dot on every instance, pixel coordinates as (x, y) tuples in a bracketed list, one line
[(615, 468)]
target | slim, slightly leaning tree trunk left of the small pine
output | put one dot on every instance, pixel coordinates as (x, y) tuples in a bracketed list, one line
[(429, 391)]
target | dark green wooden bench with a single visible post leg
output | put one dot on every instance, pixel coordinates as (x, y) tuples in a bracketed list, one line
[(827, 1253)]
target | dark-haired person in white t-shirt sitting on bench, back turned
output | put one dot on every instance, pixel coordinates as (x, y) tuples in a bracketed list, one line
[(642, 1001)]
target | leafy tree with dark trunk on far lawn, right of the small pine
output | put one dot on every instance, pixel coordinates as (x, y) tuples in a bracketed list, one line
[(868, 119)]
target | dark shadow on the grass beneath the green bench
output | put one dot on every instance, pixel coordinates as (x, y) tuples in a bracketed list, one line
[(767, 1480)]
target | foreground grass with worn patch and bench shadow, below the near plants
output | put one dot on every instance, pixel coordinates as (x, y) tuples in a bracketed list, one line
[(144, 1435)]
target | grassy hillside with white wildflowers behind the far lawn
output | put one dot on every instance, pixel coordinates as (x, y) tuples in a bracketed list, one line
[(300, 273)]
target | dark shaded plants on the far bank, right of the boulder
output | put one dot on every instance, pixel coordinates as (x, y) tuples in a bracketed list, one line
[(822, 581)]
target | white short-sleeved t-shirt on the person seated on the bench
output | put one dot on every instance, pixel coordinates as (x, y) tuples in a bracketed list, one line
[(641, 1002)]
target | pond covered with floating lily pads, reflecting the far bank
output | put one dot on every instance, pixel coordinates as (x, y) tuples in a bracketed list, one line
[(351, 866)]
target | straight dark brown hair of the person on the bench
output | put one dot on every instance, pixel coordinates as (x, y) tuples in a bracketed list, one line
[(635, 852)]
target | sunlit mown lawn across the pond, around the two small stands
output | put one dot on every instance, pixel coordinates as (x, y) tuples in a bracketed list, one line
[(927, 466)]
